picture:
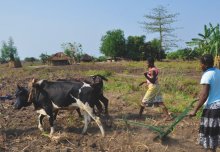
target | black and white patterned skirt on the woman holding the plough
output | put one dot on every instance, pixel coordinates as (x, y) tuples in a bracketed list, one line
[(209, 131)]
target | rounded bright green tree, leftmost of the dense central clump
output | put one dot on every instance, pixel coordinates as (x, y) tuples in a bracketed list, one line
[(113, 43)]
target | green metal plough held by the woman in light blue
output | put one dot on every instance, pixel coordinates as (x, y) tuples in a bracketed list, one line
[(163, 131)]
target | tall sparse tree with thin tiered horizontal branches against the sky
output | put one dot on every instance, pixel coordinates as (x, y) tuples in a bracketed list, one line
[(159, 21)]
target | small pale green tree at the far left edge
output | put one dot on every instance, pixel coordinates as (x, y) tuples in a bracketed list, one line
[(9, 51)]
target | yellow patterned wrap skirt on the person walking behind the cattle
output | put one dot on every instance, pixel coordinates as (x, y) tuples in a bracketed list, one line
[(153, 96)]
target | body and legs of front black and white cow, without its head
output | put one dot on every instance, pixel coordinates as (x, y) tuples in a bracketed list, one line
[(50, 96)]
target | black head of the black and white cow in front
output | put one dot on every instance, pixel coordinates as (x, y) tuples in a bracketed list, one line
[(21, 95)]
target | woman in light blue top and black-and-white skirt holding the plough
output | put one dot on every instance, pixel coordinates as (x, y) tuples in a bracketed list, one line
[(209, 131)]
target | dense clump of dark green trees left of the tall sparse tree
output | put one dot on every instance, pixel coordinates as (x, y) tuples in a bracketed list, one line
[(114, 44)]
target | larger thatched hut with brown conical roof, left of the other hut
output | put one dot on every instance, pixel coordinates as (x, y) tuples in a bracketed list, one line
[(60, 59)]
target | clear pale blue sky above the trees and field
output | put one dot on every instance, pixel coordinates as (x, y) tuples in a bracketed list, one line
[(41, 26)]
